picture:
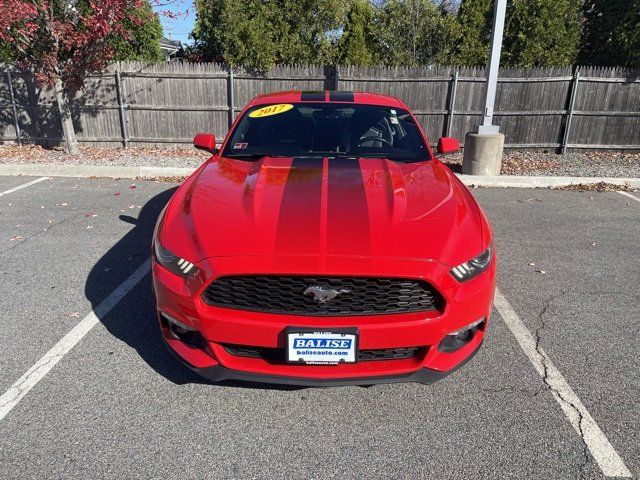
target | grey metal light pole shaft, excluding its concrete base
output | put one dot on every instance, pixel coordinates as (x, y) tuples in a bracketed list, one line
[(499, 11)]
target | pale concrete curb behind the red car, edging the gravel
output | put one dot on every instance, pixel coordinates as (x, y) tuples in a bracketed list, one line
[(508, 181)]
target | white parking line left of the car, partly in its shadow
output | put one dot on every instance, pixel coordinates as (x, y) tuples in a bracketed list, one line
[(21, 387)]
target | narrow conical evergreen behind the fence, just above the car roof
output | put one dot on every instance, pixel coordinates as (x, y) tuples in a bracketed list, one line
[(358, 38)]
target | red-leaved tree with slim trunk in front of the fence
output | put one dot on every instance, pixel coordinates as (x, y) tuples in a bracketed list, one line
[(62, 42)]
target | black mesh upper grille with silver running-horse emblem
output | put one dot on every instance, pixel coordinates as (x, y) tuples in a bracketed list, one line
[(357, 295)]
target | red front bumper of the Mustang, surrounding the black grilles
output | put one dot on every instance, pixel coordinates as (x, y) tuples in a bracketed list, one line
[(219, 327)]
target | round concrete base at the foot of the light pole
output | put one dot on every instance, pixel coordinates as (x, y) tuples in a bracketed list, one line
[(482, 154)]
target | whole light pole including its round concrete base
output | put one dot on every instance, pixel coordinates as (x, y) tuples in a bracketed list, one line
[(483, 147)]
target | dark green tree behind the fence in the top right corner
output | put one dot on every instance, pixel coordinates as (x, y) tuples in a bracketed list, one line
[(611, 33)]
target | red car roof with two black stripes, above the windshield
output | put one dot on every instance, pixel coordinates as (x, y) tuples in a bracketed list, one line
[(296, 96)]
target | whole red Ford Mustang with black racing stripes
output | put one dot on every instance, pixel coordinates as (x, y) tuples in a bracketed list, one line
[(324, 244)]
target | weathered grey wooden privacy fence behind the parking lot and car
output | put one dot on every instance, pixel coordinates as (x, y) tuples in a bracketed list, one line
[(149, 104)]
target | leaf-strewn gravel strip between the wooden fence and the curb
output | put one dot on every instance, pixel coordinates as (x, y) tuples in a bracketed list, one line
[(532, 163)]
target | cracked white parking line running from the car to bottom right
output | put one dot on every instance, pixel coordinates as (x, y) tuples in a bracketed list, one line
[(601, 449)]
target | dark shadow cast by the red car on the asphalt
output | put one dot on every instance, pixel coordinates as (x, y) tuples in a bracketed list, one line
[(133, 321)]
